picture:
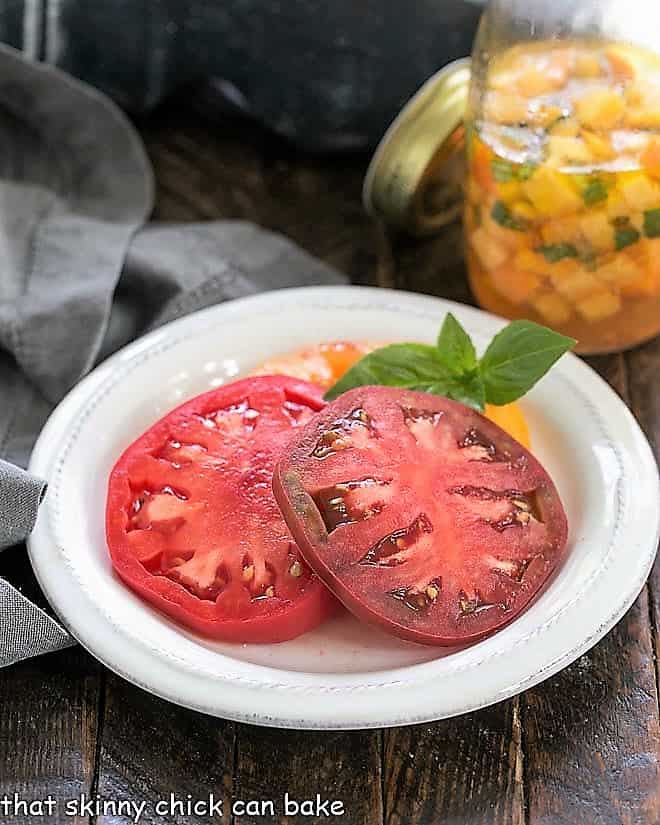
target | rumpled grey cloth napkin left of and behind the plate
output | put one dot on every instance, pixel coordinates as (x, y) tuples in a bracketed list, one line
[(82, 275)]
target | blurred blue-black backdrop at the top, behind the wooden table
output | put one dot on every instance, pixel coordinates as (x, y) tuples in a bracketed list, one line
[(328, 75)]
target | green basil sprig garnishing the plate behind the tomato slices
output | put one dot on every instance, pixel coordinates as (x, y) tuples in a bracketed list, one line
[(514, 361)]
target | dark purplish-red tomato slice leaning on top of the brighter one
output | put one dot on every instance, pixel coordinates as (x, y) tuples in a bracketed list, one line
[(420, 514)]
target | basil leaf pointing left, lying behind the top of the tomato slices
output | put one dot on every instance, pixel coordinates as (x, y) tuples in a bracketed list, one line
[(413, 367)]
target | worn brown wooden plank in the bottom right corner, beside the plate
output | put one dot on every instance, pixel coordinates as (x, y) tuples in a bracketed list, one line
[(591, 733)]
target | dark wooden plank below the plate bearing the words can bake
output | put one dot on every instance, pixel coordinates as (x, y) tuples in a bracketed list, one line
[(344, 767)]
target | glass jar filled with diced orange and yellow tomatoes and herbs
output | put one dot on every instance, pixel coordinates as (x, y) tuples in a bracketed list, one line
[(562, 208)]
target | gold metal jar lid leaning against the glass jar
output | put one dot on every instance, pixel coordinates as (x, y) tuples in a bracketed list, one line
[(415, 178)]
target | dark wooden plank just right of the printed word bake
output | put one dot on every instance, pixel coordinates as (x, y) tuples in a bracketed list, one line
[(467, 769)]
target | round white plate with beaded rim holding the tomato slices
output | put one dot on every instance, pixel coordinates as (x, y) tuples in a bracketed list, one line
[(343, 675)]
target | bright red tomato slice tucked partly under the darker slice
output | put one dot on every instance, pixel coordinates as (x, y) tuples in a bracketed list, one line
[(191, 522)]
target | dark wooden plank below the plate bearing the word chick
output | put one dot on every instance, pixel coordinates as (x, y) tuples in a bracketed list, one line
[(152, 751)]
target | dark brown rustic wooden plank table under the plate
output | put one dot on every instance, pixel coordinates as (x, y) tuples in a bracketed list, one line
[(581, 748)]
